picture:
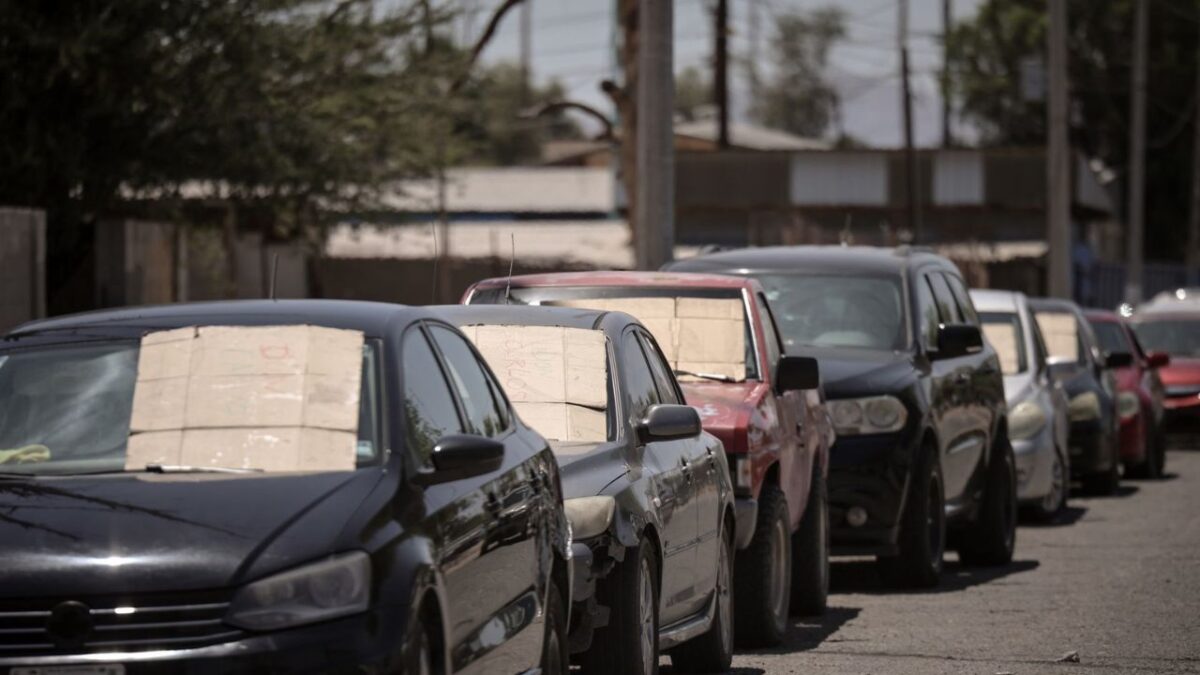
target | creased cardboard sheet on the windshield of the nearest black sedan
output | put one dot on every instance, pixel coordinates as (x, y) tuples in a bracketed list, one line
[(280, 398)]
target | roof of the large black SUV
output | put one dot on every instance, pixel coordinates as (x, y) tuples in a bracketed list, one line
[(871, 260)]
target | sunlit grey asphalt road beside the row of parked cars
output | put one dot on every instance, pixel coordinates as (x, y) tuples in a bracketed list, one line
[(1117, 582)]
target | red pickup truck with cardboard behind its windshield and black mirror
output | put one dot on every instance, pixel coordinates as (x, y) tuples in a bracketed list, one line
[(766, 408)]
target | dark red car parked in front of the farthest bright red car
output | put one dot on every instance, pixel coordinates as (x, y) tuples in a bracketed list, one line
[(1139, 396)]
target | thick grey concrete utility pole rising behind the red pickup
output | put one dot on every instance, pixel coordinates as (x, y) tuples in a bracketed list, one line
[(656, 135)]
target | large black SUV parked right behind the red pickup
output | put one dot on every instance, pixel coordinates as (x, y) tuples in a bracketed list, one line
[(916, 395)]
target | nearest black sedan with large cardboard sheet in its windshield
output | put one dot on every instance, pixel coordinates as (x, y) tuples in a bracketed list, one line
[(406, 522)]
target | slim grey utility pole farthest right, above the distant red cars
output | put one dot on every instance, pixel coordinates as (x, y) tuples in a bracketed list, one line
[(1137, 211)]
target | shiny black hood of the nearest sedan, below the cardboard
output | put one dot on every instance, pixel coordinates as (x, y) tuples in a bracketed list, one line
[(143, 534)]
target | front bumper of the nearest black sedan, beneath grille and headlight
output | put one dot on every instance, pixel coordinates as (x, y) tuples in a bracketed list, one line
[(362, 644)]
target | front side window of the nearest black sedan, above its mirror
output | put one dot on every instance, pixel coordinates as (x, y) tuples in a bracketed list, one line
[(430, 410)]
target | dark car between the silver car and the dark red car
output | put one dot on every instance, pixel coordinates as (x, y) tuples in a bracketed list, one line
[(1087, 375)]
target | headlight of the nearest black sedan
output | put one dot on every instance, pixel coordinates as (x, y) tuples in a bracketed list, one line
[(334, 588)]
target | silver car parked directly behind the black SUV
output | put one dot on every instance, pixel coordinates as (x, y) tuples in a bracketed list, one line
[(1037, 404)]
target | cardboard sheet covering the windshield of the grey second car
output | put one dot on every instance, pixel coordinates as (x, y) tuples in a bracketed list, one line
[(556, 378)]
